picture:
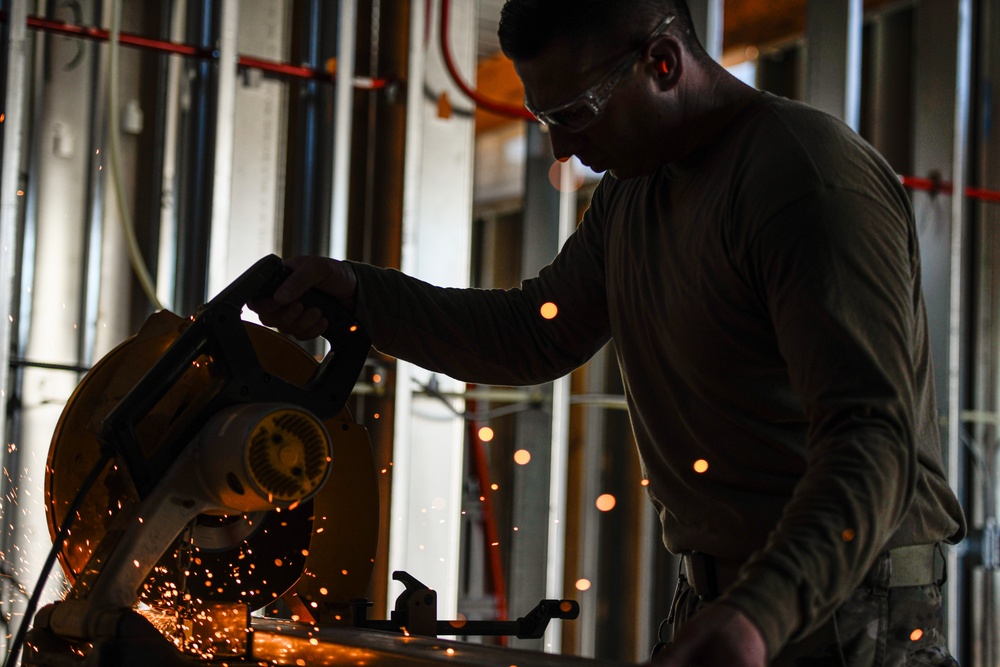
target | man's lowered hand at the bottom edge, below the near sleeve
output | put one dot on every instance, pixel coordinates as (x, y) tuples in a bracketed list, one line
[(719, 636)]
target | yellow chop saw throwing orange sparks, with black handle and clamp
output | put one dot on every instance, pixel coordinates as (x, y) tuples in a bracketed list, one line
[(233, 514)]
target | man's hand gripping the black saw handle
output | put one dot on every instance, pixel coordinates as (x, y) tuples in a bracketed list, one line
[(286, 313)]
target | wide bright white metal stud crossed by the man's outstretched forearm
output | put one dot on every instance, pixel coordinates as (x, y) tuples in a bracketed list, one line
[(437, 214)]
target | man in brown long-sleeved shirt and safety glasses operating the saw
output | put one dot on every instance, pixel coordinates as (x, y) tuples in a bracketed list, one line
[(756, 266)]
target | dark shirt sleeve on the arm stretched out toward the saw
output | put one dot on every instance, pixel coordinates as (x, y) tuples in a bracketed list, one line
[(495, 336)]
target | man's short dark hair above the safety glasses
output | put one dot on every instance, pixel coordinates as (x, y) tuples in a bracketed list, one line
[(528, 27)]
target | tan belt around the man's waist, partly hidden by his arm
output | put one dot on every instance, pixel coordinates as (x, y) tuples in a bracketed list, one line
[(908, 566)]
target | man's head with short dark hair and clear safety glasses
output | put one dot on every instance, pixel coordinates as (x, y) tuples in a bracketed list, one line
[(606, 76)]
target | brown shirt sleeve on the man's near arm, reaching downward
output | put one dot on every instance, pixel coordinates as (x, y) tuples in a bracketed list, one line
[(837, 271)]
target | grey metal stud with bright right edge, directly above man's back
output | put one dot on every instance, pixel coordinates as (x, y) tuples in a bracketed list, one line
[(833, 45)]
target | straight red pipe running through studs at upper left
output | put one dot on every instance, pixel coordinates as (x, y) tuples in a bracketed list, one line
[(163, 46)]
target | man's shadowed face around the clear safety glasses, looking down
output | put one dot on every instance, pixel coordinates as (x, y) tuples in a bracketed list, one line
[(624, 138)]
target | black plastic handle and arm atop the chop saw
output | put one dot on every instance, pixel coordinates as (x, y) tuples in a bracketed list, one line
[(217, 330)]
